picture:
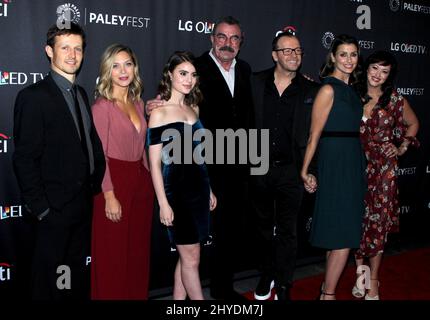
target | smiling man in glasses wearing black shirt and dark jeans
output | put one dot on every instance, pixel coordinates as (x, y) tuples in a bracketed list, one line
[(283, 103)]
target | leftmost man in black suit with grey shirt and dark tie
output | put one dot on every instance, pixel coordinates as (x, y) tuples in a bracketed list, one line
[(59, 164)]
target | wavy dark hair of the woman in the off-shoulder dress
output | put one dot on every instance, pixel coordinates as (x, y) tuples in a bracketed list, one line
[(165, 87)]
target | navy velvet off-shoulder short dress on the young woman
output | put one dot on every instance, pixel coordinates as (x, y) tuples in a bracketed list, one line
[(186, 182)]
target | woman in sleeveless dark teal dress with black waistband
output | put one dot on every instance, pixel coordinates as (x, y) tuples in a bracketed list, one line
[(340, 184)]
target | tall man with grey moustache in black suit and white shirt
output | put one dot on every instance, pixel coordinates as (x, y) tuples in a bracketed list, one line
[(227, 103)]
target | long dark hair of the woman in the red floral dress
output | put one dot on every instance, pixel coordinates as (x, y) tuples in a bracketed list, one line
[(385, 59)]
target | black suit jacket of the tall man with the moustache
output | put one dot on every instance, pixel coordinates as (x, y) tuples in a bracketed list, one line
[(219, 110)]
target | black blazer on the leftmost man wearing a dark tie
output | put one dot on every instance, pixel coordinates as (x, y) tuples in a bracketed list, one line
[(48, 160)]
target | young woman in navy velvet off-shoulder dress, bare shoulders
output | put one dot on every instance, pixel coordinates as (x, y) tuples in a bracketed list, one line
[(183, 192)]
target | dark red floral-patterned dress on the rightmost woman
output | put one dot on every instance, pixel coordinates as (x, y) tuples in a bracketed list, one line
[(381, 216)]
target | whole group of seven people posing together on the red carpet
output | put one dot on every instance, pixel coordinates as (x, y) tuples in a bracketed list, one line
[(68, 154)]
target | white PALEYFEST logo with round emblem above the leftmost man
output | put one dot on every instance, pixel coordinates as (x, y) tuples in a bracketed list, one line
[(69, 12)]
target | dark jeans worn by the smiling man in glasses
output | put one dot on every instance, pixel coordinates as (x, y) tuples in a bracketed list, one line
[(276, 197)]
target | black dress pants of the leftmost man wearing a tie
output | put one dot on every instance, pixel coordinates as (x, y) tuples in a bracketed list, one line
[(63, 241)]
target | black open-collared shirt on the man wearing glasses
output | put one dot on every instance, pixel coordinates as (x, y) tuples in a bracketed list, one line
[(278, 118)]
